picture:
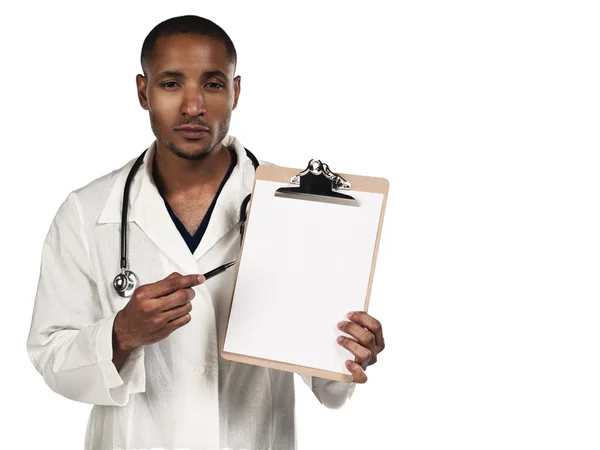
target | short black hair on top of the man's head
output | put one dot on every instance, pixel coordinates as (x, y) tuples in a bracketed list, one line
[(186, 25)]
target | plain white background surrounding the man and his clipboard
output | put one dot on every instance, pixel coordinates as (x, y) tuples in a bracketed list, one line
[(482, 115)]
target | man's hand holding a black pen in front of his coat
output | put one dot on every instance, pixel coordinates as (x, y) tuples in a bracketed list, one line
[(154, 312)]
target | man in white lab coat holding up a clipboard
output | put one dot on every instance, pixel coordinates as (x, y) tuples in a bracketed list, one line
[(150, 363)]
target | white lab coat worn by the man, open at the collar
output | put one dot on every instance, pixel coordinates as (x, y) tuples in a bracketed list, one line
[(176, 393)]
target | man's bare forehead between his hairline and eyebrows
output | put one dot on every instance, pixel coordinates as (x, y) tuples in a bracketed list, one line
[(189, 53)]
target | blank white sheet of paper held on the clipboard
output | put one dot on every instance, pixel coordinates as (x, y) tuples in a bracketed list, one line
[(305, 264)]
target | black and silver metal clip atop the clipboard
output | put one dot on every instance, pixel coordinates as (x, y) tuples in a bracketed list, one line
[(317, 183)]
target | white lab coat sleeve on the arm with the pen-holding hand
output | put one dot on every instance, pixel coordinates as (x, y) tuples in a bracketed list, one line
[(70, 339)]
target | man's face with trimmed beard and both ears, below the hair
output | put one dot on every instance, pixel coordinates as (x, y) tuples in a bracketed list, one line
[(189, 90)]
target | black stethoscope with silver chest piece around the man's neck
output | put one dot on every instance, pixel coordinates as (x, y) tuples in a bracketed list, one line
[(127, 281)]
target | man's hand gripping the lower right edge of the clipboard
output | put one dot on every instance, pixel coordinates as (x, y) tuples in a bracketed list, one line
[(368, 344)]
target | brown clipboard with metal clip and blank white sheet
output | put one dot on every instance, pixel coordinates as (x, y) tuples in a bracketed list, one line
[(308, 257)]
